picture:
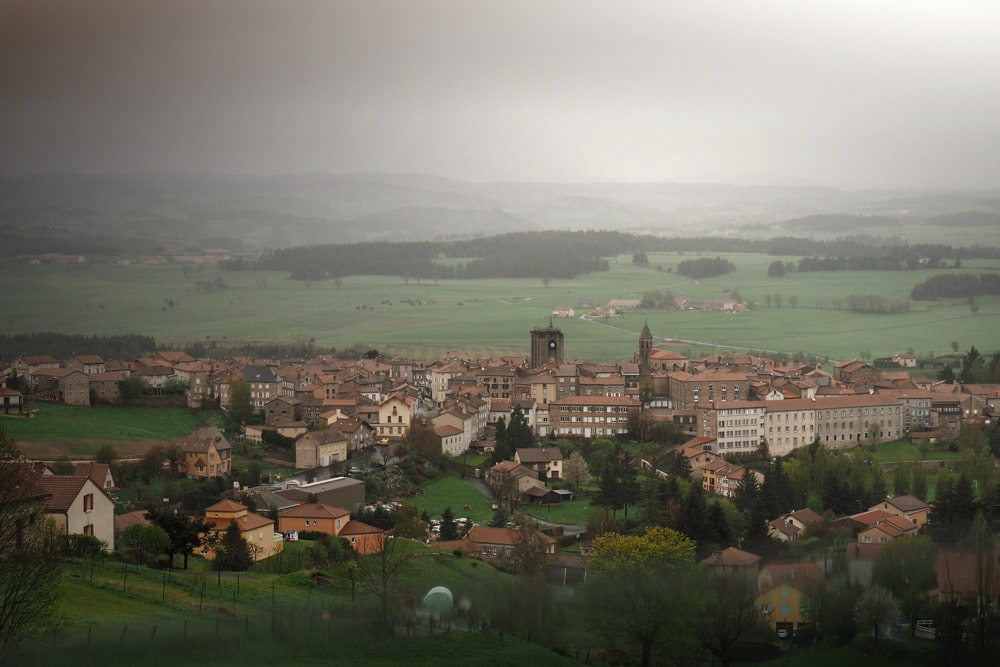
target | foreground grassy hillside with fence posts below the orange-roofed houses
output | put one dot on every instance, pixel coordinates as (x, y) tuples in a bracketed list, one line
[(155, 618)]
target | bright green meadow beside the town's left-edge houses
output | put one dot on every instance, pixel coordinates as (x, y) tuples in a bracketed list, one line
[(62, 423)]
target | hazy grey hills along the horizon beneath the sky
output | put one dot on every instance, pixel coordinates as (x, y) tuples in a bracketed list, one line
[(153, 213)]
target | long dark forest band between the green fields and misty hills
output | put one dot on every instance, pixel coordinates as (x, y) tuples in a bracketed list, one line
[(565, 254)]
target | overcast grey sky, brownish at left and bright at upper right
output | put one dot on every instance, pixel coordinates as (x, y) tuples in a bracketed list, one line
[(864, 93)]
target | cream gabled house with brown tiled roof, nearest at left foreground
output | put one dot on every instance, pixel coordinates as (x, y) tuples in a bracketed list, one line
[(79, 507)]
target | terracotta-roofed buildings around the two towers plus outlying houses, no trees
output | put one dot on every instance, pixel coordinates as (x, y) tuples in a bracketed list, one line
[(726, 406)]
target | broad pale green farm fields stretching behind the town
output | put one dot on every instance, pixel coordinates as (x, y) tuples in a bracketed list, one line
[(491, 317)]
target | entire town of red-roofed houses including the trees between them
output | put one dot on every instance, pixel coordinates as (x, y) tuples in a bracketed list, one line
[(678, 440)]
